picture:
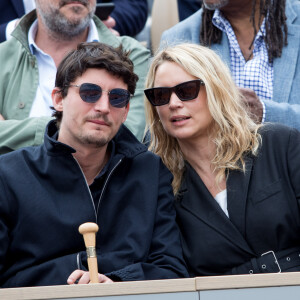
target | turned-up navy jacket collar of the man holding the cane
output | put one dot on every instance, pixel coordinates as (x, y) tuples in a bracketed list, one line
[(125, 142)]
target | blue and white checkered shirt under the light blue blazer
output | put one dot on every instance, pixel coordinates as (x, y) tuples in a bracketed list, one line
[(257, 73)]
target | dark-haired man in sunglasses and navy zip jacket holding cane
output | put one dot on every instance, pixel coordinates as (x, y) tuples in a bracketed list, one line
[(90, 168)]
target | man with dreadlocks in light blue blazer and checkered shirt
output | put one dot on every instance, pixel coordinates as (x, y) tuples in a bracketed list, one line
[(259, 41)]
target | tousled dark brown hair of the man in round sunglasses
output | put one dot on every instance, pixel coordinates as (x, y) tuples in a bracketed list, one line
[(94, 56)]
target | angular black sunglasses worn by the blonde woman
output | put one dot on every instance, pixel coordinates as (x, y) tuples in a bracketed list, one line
[(185, 91)]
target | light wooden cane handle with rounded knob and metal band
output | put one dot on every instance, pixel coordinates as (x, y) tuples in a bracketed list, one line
[(89, 230)]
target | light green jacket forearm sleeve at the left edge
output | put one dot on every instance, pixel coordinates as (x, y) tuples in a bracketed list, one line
[(16, 134)]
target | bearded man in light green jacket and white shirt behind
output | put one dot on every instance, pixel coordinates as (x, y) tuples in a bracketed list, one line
[(21, 84)]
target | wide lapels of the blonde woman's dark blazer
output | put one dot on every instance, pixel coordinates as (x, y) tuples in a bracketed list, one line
[(194, 197)]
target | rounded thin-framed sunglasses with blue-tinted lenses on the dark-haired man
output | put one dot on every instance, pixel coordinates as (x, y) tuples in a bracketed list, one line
[(91, 93)]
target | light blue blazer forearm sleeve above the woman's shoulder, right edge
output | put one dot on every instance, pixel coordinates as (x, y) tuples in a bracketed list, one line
[(284, 113)]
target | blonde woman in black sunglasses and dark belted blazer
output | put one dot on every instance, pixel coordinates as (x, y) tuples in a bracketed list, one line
[(236, 183)]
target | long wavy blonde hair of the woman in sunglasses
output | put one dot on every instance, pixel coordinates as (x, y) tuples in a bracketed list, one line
[(235, 134)]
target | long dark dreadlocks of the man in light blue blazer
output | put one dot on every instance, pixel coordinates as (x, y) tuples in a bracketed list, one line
[(276, 28)]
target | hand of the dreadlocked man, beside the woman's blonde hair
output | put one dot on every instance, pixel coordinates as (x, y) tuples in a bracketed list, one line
[(253, 103)]
